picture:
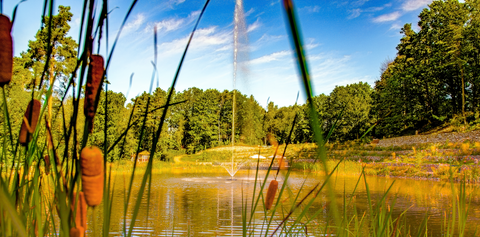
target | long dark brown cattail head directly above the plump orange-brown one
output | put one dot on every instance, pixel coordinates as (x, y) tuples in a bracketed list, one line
[(94, 79)]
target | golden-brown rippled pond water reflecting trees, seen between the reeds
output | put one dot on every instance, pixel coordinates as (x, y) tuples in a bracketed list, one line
[(208, 204)]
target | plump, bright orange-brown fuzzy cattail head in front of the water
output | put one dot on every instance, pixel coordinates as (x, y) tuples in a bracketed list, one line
[(91, 161)]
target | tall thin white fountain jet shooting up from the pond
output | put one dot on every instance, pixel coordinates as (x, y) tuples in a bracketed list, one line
[(239, 58)]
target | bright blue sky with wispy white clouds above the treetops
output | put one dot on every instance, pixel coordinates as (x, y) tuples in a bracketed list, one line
[(346, 42)]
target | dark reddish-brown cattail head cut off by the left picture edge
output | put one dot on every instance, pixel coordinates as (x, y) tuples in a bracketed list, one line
[(6, 50)]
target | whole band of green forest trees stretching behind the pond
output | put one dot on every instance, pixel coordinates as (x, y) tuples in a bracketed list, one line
[(434, 80)]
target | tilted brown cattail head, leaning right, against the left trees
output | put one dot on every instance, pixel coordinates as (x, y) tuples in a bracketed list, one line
[(30, 120)]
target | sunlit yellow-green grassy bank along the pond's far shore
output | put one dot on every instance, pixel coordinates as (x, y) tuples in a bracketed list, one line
[(421, 161)]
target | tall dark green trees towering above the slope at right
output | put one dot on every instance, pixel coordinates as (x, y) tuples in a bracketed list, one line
[(435, 74)]
